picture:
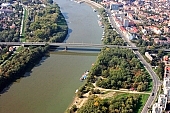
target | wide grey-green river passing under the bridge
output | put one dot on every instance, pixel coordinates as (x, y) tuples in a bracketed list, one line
[(50, 86)]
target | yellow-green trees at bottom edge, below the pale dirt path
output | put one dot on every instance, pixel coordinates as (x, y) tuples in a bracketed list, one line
[(120, 103)]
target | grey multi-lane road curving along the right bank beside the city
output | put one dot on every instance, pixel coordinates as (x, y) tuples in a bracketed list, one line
[(155, 79)]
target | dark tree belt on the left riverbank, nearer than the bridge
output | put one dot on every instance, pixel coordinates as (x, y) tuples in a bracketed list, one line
[(16, 66)]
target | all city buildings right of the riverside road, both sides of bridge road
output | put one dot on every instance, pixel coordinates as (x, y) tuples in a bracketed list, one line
[(148, 21)]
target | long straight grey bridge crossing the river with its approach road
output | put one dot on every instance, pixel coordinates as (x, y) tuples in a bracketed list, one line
[(75, 45)]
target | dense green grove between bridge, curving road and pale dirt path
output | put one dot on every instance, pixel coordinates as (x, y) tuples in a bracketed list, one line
[(119, 68)]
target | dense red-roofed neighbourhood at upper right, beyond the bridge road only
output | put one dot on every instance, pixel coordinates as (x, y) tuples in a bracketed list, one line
[(142, 19)]
